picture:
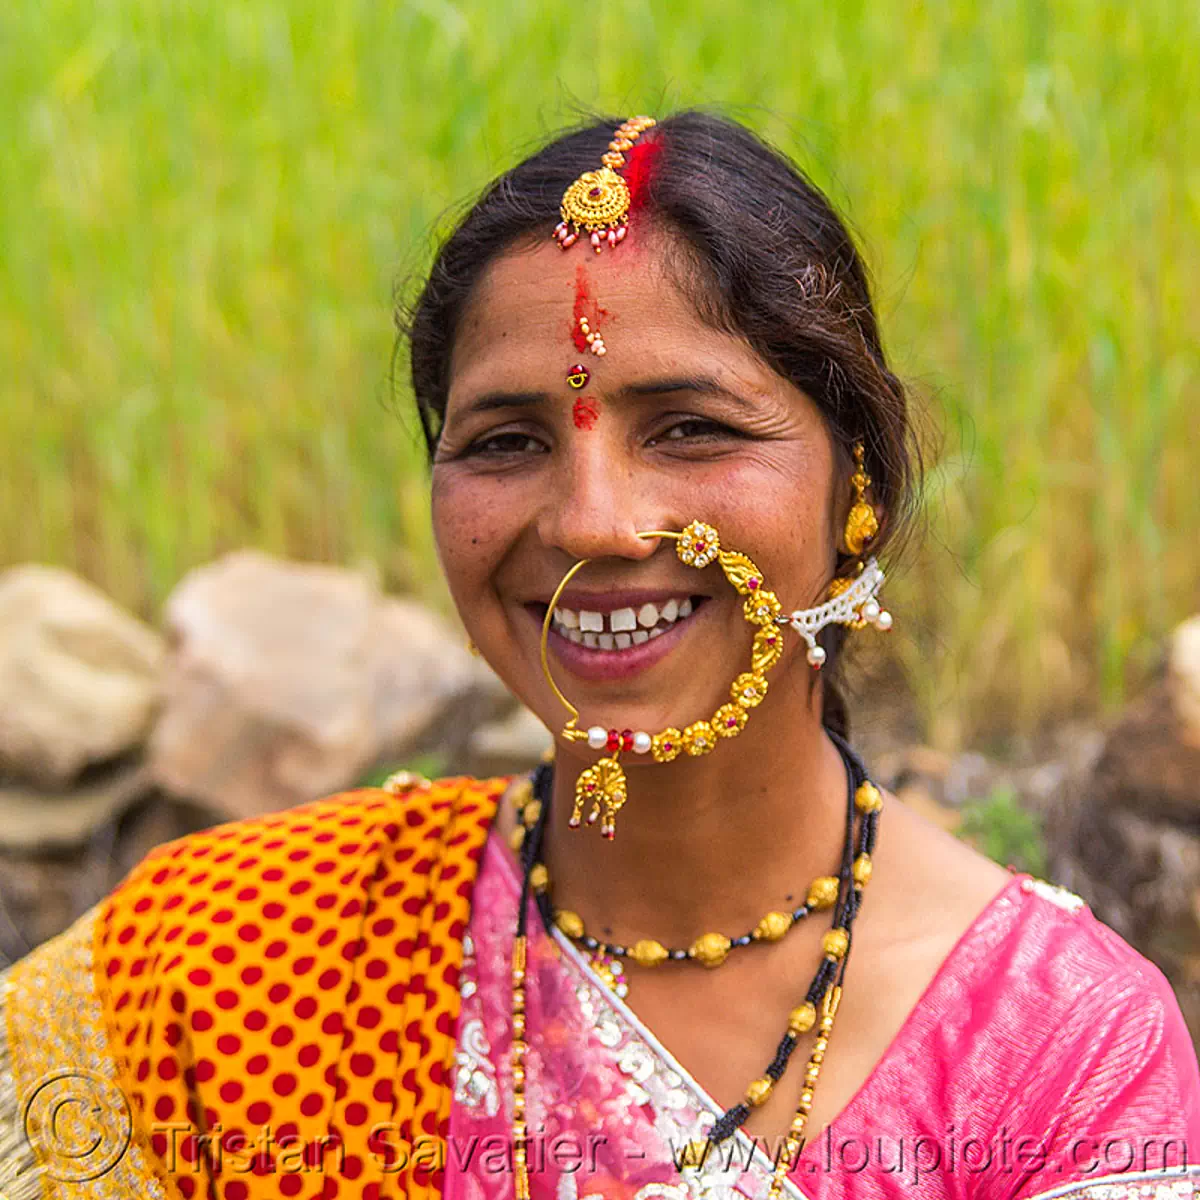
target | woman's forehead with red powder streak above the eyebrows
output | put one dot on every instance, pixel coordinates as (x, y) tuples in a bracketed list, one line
[(525, 310)]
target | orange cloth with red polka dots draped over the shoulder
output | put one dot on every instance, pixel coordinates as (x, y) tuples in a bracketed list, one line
[(295, 980)]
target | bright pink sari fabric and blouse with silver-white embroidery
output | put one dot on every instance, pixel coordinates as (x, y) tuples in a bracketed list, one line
[(1046, 1059)]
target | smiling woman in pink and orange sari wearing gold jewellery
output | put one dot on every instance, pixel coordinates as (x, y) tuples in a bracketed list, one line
[(445, 988)]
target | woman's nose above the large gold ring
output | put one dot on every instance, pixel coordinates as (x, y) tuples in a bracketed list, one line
[(596, 507)]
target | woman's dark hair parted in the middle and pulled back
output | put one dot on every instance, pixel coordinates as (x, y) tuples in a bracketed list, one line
[(767, 259)]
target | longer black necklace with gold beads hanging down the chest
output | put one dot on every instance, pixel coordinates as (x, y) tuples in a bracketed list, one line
[(863, 801)]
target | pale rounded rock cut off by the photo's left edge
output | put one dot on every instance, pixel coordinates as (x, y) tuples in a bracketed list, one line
[(79, 677)]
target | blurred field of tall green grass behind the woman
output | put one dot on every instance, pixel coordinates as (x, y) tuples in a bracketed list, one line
[(203, 211)]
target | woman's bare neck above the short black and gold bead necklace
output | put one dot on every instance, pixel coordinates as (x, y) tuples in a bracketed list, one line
[(705, 844)]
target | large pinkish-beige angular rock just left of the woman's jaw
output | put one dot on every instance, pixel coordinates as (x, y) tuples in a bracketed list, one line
[(287, 682)]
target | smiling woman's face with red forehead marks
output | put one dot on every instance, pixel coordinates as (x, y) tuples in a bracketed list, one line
[(675, 422)]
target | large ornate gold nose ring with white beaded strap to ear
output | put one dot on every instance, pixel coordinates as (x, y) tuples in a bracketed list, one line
[(604, 787)]
